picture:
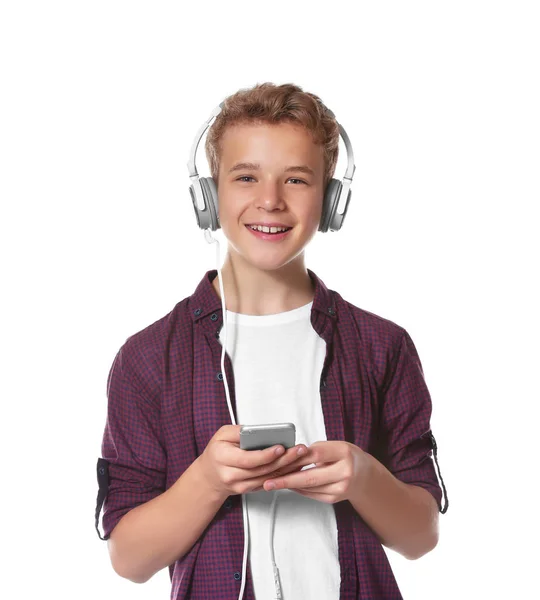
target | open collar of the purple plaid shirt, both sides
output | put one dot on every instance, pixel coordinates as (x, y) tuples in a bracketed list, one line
[(205, 301)]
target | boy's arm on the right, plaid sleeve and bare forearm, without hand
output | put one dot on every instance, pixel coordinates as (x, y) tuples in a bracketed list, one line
[(400, 497)]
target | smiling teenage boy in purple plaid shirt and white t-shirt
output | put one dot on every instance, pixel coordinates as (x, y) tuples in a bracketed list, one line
[(350, 380)]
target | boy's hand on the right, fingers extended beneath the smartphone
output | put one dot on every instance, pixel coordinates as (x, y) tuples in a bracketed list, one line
[(339, 468)]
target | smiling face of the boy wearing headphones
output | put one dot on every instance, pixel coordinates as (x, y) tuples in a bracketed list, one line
[(269, 193)]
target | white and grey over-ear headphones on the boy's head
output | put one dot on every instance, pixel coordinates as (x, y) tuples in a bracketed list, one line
[(204, 195)]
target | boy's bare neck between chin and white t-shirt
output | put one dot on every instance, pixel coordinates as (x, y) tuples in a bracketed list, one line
[(252, 291)]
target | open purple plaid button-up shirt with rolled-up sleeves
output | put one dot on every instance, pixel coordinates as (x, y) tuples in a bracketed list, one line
[(166, 399)]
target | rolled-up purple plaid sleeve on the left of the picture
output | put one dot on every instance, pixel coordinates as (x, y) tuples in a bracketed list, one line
[(132, 440)]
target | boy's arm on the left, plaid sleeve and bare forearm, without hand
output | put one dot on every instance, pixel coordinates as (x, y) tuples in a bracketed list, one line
[(147, 527)]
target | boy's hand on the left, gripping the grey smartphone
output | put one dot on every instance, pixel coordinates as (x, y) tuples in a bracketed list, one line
[(230, 470)]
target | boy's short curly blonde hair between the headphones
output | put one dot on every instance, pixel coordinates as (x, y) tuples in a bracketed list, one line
[(271, 103)]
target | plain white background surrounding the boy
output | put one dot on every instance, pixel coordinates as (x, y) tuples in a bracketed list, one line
[(100, 102)]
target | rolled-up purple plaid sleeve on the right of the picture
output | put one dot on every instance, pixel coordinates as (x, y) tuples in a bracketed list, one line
[(405, 430)]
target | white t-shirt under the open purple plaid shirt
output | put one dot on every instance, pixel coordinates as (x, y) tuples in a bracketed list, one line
[(277, 362)]
